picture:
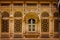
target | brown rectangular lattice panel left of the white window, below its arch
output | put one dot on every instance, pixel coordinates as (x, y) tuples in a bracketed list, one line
[(17, 25)]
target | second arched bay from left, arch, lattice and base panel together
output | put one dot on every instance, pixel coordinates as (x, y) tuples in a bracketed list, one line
[(17, 24)]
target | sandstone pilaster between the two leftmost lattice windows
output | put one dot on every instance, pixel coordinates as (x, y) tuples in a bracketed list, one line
[(11, 21)]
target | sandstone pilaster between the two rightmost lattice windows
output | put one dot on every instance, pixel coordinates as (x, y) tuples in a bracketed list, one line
[(51, 23)]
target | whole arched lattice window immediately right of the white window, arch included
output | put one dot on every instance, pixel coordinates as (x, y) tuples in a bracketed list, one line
[(45, 22)]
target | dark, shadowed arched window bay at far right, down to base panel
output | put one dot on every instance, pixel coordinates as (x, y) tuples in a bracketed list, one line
[(56, 26)]
